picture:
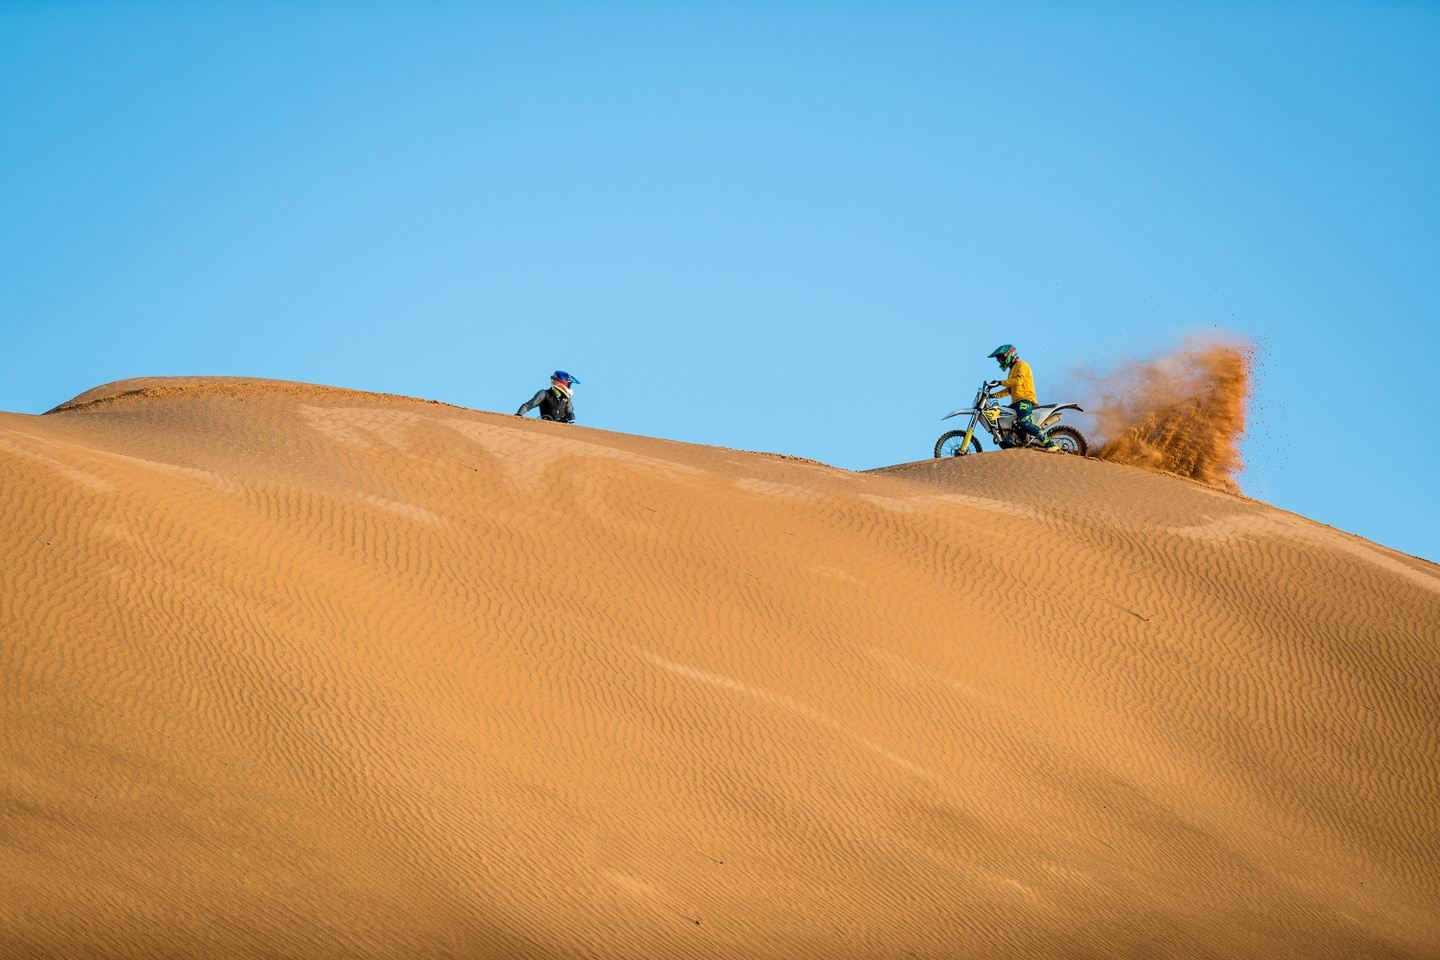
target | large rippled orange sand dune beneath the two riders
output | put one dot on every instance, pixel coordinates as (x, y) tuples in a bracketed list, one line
[(305, 673)]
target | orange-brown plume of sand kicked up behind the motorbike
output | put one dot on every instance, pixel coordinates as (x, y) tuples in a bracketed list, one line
[(1183, 414)]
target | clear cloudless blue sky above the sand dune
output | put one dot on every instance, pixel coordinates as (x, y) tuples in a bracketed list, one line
[(780, 227)]
